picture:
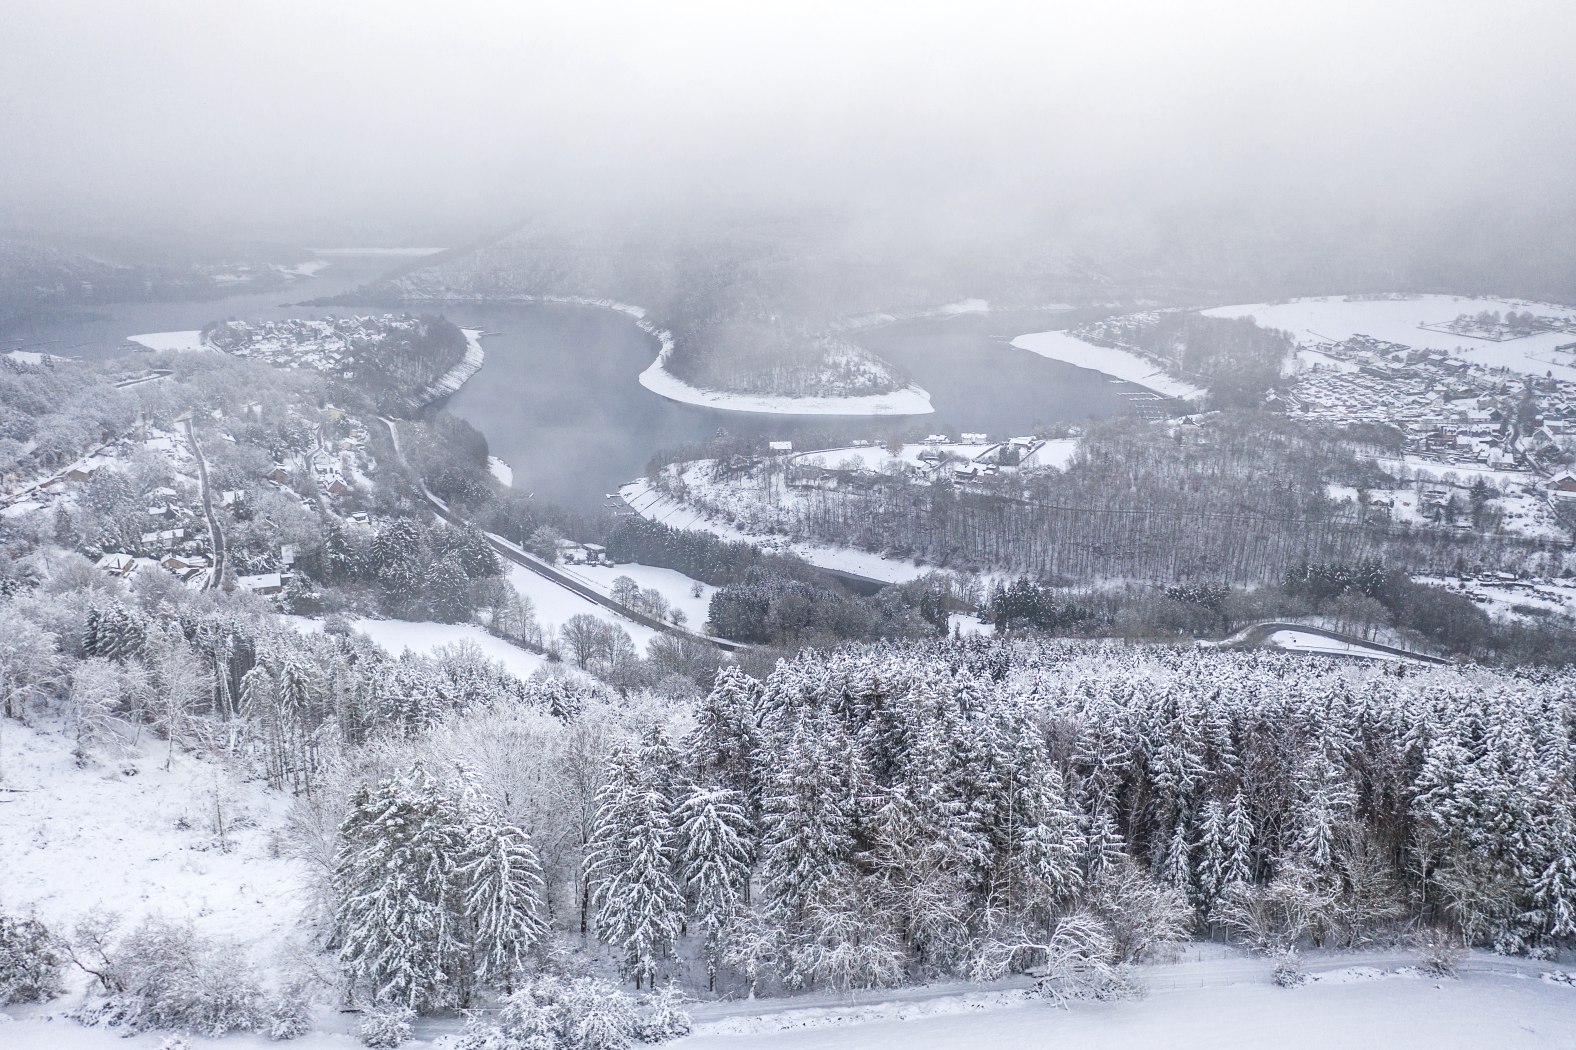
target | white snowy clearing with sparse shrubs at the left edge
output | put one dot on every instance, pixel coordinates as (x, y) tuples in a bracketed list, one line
[(135, 838)]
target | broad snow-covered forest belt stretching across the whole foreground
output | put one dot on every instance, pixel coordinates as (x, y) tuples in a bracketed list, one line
[(858, 819)]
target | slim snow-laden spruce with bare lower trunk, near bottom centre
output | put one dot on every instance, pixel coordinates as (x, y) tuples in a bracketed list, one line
[(715, 863)]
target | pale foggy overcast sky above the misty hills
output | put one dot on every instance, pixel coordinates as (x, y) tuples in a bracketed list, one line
[(289, 113)]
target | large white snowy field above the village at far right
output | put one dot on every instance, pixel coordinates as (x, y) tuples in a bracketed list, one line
[(1397, 321)]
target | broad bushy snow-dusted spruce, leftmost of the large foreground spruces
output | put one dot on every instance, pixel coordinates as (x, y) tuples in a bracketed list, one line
[(400, 910)]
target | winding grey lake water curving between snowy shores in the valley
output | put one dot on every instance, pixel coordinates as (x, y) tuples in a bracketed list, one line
[(562, 403)]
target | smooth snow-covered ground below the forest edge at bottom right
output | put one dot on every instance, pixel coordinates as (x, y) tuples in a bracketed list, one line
[(1214, 1005)]
